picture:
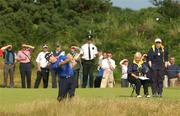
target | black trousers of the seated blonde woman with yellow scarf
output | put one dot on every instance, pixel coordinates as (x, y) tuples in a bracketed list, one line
[(138, 84)]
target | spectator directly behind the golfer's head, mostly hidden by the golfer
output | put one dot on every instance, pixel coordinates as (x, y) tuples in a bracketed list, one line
[(57, 53)]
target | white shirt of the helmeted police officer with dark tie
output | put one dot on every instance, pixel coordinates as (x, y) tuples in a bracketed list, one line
[(85, 51)]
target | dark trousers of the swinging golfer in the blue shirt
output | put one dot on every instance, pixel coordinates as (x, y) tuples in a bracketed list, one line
[(67, 85)]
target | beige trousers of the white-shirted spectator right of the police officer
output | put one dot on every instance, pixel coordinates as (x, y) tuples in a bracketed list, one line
[(108, 79)]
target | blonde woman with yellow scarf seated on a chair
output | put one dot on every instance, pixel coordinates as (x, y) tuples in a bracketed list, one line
[(135, 70)]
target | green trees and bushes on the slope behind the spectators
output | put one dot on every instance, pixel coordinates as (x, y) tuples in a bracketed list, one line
[(122, 31)]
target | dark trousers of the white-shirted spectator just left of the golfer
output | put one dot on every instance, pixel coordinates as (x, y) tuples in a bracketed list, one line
[(43, 74)]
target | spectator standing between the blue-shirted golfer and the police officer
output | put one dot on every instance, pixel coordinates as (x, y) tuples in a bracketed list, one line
[(75, 63)]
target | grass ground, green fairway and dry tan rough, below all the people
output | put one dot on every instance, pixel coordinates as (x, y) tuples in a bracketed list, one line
[(88, 102)]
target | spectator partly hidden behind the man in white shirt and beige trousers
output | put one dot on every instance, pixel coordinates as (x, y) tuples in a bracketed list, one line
[(97, 81)]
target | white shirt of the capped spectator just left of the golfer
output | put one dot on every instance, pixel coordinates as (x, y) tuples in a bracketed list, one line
[(42, 60)]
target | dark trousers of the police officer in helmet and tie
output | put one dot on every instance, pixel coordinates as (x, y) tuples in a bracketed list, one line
[(88, 66)]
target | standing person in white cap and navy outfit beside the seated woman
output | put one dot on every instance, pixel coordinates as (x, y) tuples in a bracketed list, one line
[(158, 61)]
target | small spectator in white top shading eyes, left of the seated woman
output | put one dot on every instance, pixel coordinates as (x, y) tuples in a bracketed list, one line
[(124, 67)]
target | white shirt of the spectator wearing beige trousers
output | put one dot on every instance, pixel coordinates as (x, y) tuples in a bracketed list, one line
[(106, 63)]
